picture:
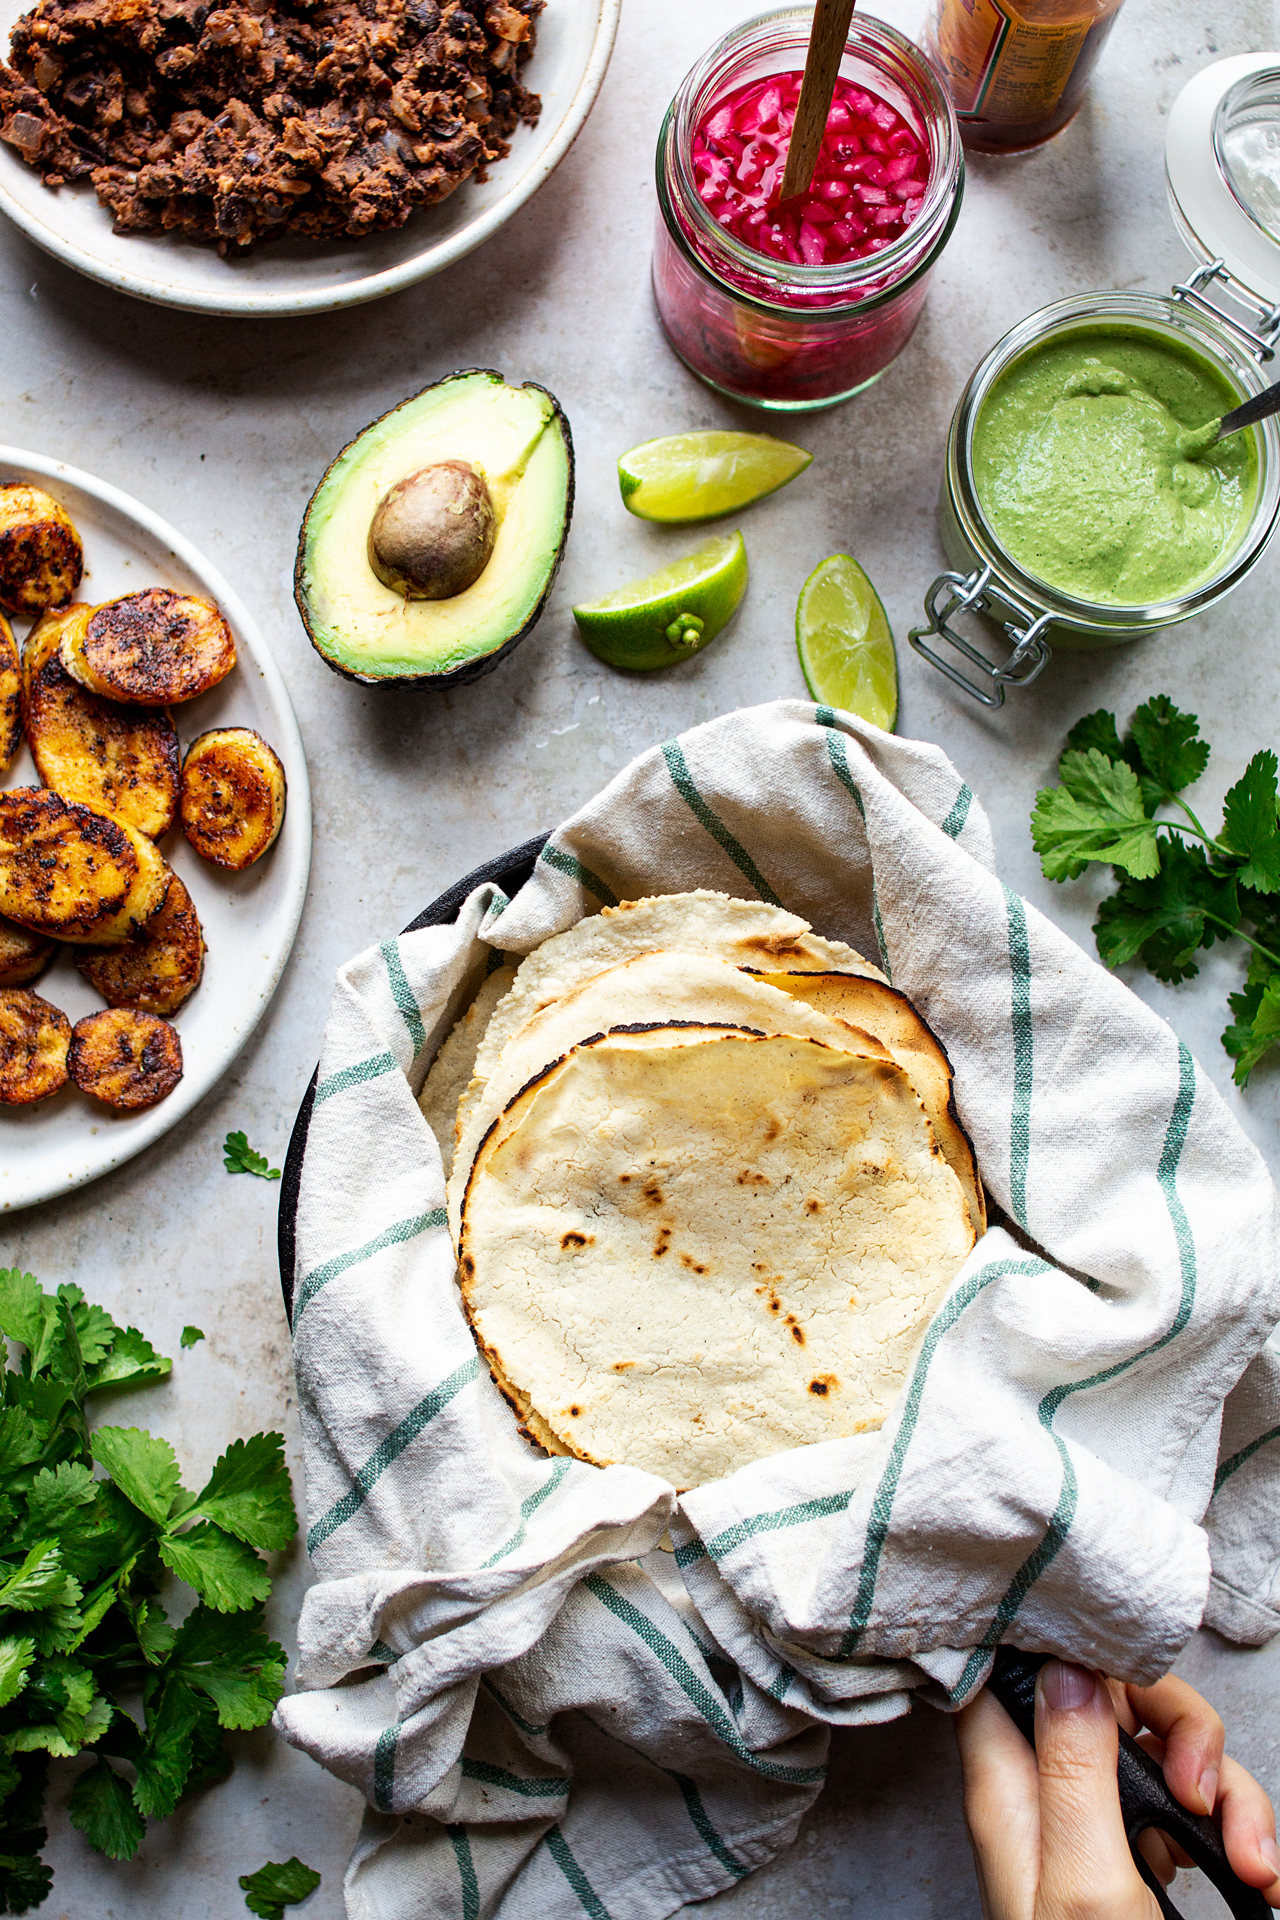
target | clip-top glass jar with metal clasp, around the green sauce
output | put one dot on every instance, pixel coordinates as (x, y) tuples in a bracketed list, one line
[(987, 581)]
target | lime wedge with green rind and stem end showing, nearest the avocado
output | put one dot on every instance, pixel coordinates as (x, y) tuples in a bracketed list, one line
[(673, 613)]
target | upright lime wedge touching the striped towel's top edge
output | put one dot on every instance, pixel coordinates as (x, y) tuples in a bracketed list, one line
[(847, 652)]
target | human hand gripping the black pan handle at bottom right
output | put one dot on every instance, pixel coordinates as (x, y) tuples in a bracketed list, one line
[(1047, 1831)]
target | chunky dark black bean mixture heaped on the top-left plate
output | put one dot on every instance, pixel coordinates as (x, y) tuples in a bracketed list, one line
[(252, 120)]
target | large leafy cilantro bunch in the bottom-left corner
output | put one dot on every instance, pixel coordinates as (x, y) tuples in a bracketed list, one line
[(89, 1529)]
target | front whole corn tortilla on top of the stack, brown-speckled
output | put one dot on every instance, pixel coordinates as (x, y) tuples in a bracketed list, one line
[(688, 1257)]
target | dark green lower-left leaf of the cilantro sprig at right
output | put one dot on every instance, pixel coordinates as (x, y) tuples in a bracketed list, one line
[(1162, 921)]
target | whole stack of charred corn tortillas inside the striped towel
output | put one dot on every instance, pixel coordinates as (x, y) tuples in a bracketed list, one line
[(707, 1186)]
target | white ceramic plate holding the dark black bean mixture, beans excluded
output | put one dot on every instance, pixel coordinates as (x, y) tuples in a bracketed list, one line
[(575, 41)]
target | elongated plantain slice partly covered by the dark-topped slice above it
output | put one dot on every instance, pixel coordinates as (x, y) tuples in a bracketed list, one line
[(118, 759)]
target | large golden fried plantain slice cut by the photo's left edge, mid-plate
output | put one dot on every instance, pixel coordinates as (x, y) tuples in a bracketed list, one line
[(76, 875)]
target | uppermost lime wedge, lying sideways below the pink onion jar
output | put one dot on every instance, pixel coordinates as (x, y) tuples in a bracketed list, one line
[(699, 477)]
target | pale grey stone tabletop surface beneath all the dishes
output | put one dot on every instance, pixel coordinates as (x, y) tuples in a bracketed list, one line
[(225, 427)]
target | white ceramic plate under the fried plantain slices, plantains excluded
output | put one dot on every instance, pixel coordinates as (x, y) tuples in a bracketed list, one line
[(250, 919)]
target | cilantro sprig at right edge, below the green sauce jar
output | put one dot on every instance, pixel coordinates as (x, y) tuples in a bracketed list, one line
[(1179, 888)]
